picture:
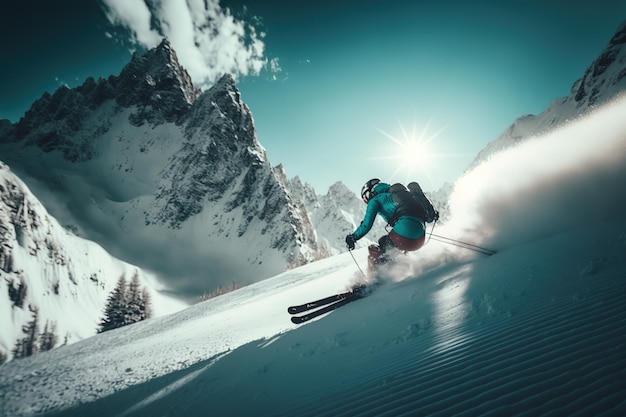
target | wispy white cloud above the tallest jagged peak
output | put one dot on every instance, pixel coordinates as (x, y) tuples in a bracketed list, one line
[(207, 38)]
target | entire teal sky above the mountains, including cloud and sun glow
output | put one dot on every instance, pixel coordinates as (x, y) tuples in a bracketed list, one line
[(340, 80)]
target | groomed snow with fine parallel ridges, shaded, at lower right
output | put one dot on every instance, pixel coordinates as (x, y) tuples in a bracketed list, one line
[(566, 358)]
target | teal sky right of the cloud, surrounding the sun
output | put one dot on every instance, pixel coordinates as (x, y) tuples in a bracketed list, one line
[(468, 67)]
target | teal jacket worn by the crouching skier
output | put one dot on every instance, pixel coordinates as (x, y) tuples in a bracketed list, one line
[(407, 226)]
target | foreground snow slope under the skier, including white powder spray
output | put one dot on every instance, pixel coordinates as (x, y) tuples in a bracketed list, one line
[(537, 329)]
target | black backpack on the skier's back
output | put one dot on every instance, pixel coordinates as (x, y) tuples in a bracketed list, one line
[(411, 201)]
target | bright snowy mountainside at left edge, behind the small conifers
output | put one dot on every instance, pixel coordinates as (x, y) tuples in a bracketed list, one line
[(47, 272)]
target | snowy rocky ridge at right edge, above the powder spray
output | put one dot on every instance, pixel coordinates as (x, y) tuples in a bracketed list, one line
[(603, 81)]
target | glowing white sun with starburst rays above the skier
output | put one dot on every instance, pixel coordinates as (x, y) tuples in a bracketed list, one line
[(413, 151)]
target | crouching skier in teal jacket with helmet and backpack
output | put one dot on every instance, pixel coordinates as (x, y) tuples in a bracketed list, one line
[(403, 210)]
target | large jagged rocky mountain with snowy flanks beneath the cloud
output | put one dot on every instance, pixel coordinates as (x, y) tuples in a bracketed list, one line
[(162, 176)]
